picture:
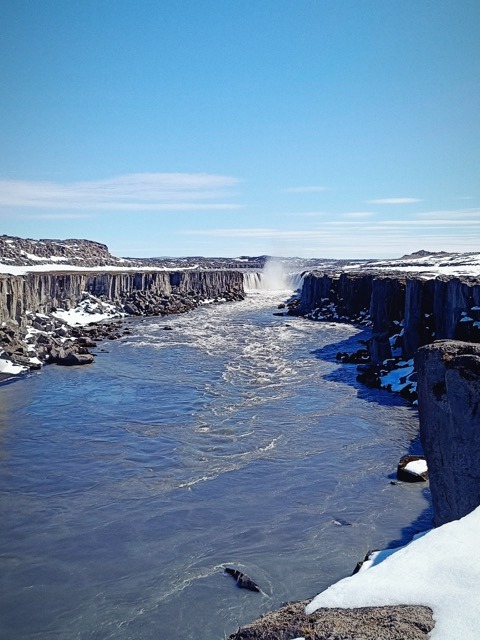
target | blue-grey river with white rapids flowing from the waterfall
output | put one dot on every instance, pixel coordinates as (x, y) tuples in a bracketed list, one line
[(231, 439)]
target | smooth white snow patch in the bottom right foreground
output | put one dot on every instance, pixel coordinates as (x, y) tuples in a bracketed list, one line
[(440, 570)]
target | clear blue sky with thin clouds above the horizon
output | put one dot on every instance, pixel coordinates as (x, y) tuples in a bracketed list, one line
[(319, 128)]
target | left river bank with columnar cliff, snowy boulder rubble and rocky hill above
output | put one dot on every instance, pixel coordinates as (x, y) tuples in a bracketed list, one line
[(54, 277)]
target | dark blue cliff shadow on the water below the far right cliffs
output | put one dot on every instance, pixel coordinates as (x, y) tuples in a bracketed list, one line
[(347, 373)]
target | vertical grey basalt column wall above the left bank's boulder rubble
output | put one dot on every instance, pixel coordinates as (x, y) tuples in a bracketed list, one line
[(144, 293)]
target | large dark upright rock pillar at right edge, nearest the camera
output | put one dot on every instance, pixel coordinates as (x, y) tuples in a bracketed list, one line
[(449, 410)]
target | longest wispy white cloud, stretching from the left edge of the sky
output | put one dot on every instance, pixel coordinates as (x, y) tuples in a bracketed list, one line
[(132, 192)]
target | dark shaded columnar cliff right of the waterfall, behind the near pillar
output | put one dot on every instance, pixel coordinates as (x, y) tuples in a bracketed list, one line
[(406, 311)]
